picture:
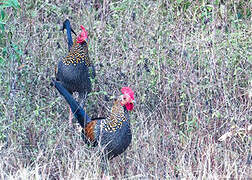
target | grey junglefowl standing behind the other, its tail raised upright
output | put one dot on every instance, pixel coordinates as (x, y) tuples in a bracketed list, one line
[(73, 70)]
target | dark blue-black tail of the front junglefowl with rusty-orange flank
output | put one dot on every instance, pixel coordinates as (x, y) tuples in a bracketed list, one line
[(78, 112)]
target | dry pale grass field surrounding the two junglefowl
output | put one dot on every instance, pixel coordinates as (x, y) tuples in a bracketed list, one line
[(189, 65)]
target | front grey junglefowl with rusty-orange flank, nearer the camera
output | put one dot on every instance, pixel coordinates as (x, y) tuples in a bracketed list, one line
[(113, 133)]
